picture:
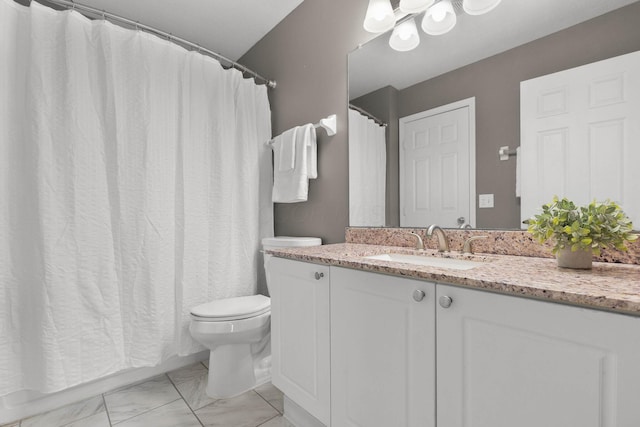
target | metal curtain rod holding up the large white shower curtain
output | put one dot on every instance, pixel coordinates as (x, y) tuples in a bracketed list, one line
[(101, 13)]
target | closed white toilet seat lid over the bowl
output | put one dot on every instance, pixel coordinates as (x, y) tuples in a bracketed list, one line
[(233, 308)]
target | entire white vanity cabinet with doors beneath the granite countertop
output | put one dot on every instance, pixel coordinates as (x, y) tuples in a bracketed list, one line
[(366, 350)]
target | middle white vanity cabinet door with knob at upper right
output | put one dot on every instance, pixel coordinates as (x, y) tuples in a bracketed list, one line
[(382, 351)]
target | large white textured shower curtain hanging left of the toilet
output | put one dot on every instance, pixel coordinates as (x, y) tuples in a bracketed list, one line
[(134, 184)]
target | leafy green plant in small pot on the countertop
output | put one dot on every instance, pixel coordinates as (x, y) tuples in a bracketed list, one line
[(580, 231)]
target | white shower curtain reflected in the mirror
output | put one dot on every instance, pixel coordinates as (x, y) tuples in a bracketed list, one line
[(367, 171)]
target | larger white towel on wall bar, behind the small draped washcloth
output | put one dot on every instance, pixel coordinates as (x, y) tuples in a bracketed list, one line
[(292, 186)]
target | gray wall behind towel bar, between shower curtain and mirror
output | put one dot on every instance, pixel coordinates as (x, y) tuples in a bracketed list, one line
[(307, 55)]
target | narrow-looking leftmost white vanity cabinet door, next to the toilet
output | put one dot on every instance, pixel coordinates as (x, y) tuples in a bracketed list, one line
[(300, 333)]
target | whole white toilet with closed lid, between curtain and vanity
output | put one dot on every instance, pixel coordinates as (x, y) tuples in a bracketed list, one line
[(237, 333)]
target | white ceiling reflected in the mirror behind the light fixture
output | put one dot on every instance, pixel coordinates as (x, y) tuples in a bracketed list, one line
[(511, 24)]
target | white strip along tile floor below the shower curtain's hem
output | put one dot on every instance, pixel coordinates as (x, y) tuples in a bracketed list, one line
[(27, 403)]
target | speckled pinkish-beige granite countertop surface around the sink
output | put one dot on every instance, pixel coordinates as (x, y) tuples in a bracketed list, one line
[(608, 286)]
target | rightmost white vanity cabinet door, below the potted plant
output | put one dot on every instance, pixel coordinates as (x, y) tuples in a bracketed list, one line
[(505, 361)]
